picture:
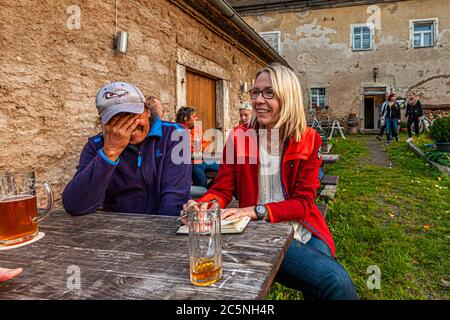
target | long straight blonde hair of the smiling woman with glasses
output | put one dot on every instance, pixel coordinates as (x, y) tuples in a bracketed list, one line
[(292, 122)]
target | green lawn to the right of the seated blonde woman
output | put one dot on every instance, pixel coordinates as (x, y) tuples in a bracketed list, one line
[(395, 218)]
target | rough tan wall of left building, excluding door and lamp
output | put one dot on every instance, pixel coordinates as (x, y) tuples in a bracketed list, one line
[(49, 74)]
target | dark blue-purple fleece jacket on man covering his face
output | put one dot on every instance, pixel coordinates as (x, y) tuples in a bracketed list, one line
[(145, 179)]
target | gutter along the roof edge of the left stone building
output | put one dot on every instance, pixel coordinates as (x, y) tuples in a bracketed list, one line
[(231, 14)]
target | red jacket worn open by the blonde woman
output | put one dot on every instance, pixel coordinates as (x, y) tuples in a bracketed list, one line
[(299, 174)]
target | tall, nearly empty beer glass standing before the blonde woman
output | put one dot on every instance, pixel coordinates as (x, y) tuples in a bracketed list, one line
[(205, 245)]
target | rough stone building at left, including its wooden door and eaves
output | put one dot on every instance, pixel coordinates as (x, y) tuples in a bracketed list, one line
[(57, 54)]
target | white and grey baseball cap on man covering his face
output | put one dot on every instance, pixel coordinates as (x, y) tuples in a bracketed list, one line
[(117, 97)]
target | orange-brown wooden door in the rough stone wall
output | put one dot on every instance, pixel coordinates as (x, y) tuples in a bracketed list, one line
[(201, 94)]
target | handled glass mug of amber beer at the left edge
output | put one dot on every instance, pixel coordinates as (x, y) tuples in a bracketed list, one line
[(19, 216)]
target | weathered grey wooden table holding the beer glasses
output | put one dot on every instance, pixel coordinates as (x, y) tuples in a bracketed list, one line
[(134, 256)]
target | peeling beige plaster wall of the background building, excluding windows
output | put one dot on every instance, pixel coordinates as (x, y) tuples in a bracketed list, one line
[(317, 45)]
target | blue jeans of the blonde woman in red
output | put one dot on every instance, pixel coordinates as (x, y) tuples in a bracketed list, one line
[(311, 269)]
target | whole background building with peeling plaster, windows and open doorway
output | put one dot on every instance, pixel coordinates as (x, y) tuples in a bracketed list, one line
[(347, 54)]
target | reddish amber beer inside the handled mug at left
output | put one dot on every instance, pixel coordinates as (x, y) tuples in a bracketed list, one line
[(18, 219)]
